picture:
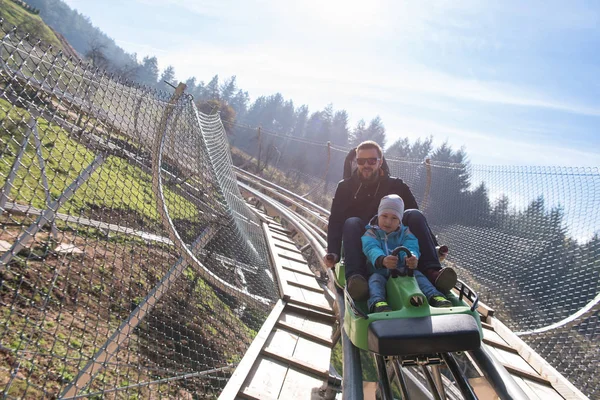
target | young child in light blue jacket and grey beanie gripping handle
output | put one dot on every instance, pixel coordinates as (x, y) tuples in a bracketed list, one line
[(383, 235)]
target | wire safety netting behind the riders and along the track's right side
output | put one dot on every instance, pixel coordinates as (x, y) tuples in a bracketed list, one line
[(526, 238)]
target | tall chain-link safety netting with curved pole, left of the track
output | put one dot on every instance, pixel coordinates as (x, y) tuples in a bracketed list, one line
[(130, 266)]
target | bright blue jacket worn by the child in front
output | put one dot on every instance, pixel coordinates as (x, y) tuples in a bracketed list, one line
[(377, 243)]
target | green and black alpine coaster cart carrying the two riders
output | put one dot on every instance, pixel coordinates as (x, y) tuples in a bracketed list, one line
[(413, 334)]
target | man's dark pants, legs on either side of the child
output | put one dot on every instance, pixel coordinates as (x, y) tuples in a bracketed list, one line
[(355, 259)]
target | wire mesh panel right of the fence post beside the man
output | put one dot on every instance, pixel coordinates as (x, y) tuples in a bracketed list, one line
[(527, 238)]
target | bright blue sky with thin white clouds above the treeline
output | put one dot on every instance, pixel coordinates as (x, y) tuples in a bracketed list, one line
[(514, 82)]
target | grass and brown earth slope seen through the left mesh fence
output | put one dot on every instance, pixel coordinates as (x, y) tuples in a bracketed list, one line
[(66, 305)]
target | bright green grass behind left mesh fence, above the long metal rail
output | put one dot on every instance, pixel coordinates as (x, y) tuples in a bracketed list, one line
[(116, 184)]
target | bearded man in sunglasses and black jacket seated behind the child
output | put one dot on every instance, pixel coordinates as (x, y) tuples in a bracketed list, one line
[(356, 201)]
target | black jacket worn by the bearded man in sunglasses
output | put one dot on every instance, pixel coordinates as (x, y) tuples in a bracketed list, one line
[(356, 199)]
